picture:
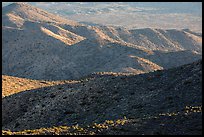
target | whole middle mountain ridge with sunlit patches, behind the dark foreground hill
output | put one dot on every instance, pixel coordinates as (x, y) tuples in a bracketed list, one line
[(44, 46)]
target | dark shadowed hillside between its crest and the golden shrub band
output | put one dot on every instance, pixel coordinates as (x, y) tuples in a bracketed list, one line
[(103, 98)]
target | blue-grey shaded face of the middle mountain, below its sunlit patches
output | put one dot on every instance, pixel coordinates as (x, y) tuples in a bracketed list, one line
[(42, 57)]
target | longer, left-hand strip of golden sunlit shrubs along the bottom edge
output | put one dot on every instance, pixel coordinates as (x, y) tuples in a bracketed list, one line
[(70, 130)]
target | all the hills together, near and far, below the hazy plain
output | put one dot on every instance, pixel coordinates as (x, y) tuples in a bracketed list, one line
[(61, 77)]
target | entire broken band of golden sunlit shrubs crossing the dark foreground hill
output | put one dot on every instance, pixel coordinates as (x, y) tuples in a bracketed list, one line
[(97, 128)]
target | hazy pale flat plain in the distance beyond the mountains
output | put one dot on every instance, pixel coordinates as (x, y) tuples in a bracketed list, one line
[(164, 15)]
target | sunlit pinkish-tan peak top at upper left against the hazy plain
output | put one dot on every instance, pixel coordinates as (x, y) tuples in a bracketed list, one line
[(22, 12)]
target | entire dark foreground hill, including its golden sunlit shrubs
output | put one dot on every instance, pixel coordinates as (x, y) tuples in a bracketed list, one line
[(161, 102)]
